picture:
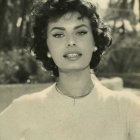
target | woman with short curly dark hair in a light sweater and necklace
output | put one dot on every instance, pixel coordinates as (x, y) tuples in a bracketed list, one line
[(69, 38)]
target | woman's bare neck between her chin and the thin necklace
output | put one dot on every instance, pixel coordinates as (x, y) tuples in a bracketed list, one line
[(75, 84)]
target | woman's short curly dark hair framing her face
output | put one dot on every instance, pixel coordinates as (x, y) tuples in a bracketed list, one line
[(43, 12)]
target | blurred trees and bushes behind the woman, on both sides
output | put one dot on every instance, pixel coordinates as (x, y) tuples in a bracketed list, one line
[(17, 65)]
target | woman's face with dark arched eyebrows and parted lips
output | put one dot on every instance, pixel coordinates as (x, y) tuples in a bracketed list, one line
[(70, 42)]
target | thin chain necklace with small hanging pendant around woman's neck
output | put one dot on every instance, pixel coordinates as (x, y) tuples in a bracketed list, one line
[(75, 97)]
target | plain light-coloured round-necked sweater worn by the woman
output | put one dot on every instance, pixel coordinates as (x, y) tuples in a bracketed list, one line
[(49, 115)]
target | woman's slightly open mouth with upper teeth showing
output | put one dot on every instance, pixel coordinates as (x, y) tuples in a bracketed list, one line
[(72, 56)]
